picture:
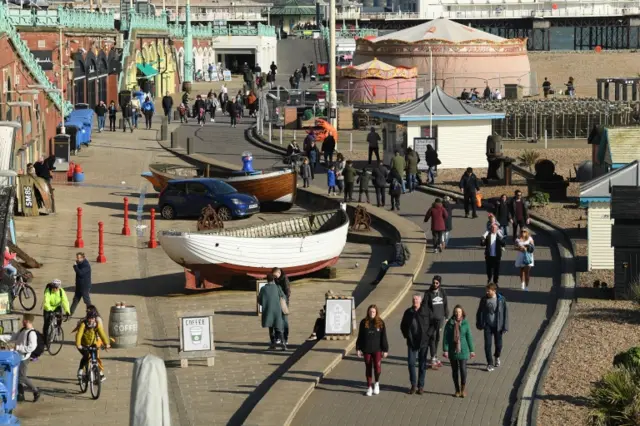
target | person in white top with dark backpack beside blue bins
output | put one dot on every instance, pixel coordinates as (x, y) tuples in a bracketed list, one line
[(29, 344)]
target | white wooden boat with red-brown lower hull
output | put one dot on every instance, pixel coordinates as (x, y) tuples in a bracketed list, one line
[(299, 245)]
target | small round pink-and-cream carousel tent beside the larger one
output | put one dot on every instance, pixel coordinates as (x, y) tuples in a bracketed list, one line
[(376, 82)]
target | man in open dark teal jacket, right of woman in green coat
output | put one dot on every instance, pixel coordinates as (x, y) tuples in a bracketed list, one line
[(493, 318)]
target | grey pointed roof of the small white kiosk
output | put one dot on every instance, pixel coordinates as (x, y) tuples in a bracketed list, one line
[(445, 107)]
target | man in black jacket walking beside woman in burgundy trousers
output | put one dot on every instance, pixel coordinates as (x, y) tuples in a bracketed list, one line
[(415, 327)]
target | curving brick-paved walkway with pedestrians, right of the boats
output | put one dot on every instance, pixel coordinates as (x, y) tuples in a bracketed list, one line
[(339, 398)]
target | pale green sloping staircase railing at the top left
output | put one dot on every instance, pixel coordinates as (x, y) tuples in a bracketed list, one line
[(30, 61)]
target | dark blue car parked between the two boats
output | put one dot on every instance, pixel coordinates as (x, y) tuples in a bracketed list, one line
[(187, 197)]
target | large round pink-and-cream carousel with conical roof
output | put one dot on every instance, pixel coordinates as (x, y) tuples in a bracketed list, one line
[(463, 57)]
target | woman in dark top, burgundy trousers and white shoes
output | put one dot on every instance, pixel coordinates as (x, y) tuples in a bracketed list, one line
[(372, 344)]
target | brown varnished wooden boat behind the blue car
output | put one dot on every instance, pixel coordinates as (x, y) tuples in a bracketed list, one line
[(271, 185)]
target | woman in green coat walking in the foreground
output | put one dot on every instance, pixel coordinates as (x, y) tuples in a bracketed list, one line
[(457, 345)]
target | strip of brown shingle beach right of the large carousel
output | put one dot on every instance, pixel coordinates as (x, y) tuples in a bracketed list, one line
[(583, 67)]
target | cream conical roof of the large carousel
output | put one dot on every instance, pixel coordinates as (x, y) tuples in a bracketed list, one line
[(441, 29)]
